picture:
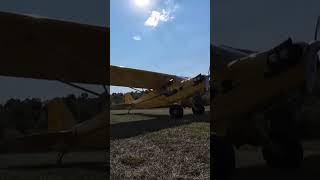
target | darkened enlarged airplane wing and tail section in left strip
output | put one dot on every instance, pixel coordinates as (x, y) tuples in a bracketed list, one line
[(40, 48)]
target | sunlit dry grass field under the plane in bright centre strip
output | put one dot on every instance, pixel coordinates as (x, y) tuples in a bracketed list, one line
[(147, 144)]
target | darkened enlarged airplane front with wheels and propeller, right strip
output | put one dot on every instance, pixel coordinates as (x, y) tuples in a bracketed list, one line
[(246, 84)]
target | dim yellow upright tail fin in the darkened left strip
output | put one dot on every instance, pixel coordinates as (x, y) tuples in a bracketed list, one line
[(59, 116)]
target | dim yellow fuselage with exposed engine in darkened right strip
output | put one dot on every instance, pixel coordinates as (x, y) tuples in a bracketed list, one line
[(249, 86)]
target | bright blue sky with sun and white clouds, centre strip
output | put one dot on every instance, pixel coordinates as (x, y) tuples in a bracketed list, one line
[(168, 36)]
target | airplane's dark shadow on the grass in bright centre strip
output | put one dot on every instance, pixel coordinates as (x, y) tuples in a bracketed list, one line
[(156, 123)]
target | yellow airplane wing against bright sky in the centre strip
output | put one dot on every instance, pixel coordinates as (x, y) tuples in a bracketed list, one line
[(128, 77)]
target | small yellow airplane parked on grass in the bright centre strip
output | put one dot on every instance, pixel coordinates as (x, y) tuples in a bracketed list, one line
[(164, 90)]
